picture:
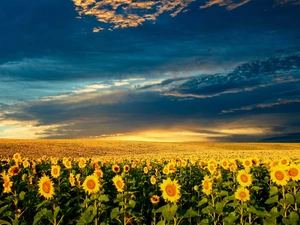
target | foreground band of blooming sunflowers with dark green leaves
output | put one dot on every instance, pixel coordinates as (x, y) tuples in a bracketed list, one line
[(149, 190)]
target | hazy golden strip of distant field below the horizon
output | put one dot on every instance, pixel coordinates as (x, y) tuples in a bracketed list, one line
[(101, 148)]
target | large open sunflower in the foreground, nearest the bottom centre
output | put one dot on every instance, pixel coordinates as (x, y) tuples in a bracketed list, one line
[(170, 190)]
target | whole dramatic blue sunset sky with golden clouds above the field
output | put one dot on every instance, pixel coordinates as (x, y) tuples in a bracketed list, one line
[(150, 70)]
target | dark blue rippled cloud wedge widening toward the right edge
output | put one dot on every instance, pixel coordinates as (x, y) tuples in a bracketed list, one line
[(244, 78)]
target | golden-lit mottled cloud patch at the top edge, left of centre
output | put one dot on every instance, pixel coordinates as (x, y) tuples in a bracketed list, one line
[(127, 13)]
